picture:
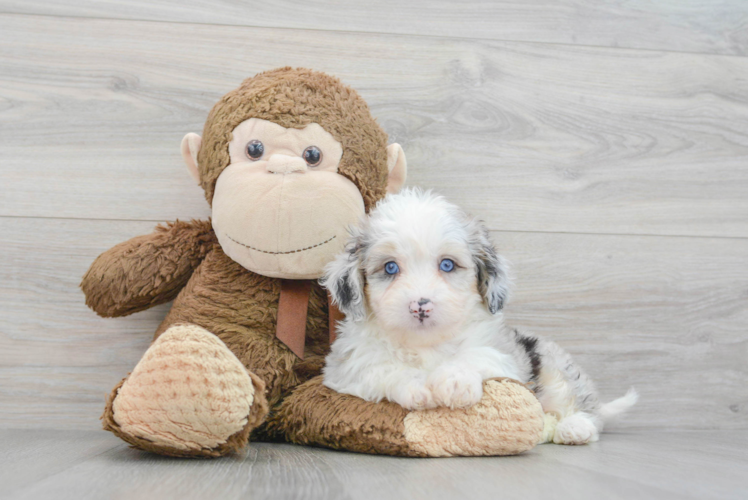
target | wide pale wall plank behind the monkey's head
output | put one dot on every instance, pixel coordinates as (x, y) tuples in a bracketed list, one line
[(531, 137)]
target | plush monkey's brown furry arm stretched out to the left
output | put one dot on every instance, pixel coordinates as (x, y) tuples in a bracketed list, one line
[(146, 270)]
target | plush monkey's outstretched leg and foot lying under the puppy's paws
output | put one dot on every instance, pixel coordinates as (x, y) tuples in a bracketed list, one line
[(507, 421)]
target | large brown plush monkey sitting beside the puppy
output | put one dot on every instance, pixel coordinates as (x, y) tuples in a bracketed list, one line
[(287, 161)]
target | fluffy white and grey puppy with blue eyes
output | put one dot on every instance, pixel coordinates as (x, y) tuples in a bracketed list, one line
[(422, 288)]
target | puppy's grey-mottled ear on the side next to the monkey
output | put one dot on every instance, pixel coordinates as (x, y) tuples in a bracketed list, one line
[(344, 280)]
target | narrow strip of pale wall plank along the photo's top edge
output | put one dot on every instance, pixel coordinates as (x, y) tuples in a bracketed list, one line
[(682, 25)]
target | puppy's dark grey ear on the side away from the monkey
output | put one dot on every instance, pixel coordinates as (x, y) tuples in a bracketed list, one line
[(492, 271)]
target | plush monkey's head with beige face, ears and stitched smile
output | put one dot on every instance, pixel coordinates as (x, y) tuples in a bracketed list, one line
[(288, 161)]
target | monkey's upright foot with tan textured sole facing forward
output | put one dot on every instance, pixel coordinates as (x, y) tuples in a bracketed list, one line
[(188, 396)]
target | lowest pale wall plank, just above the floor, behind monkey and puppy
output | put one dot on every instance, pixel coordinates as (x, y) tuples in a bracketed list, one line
[(664, 314)]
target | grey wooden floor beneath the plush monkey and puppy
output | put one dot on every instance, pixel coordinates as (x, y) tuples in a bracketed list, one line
[(703, 465)]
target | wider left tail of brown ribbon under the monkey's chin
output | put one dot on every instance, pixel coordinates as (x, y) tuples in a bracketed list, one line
[(292, 309)]
